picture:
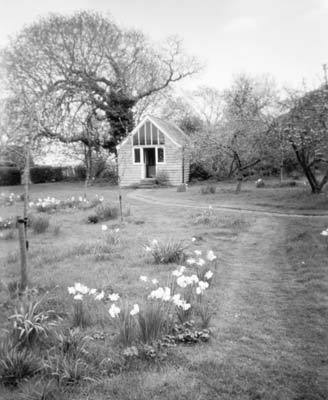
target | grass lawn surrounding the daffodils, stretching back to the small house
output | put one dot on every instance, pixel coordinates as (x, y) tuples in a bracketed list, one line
[(268, 296)]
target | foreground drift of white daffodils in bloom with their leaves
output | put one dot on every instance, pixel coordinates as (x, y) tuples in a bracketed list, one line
[(161, 308)]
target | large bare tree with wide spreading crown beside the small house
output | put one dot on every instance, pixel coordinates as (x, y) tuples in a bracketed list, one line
[(86, 63)]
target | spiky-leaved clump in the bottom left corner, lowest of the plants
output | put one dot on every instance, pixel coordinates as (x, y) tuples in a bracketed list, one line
[(16, 364)]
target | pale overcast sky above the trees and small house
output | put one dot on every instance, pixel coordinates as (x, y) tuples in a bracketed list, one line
[(286, 39)]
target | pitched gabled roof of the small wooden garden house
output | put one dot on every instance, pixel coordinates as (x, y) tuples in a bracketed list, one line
[(168, 128)]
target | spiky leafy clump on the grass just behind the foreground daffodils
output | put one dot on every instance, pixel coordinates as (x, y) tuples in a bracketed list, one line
[(171, 251)]
